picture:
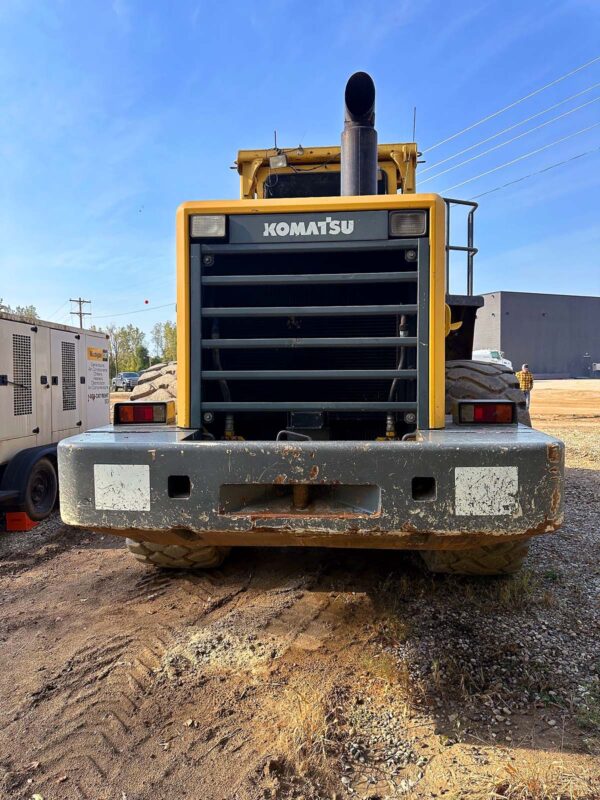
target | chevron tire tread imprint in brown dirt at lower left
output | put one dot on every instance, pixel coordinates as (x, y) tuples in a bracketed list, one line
[(92, 708)]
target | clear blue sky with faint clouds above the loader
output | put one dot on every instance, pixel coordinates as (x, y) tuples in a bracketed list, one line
[(112, 113)]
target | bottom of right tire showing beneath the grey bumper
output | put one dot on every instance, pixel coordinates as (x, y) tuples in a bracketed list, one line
[(489, 559)]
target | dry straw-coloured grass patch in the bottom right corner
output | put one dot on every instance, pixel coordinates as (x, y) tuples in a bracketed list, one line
[(545, 782)]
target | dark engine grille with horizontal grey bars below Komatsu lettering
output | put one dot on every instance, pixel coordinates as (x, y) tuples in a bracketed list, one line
[(278, 329)]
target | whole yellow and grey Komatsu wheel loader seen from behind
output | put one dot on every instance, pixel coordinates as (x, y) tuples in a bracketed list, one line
[(326, 393)]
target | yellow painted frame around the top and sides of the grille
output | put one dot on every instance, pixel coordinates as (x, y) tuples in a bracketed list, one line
[(437, 240)]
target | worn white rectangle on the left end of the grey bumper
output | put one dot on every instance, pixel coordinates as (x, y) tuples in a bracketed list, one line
[(122, 487)]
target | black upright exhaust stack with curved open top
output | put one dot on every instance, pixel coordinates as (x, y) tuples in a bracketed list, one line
[(359, 138)]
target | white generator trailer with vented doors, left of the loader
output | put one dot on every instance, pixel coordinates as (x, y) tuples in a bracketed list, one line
[(54, 383)]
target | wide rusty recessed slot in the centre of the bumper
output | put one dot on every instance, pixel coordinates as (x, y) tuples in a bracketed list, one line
[(300, 499)]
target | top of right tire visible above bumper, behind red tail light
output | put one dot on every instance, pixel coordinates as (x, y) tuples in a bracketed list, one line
[(482, 380)]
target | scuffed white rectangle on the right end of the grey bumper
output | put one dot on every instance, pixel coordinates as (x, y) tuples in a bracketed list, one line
[(486, 491)]
